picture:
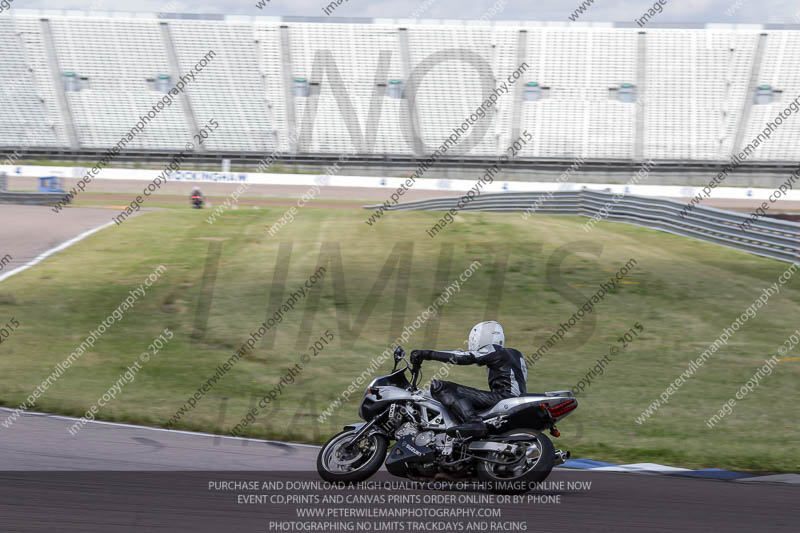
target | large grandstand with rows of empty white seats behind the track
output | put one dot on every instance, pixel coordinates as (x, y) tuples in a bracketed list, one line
[(73, 83)]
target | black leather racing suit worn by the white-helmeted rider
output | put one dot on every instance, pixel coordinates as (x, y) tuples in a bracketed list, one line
[(507, 376)]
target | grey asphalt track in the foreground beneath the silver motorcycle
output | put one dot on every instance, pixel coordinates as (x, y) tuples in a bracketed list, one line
[(112, 477)]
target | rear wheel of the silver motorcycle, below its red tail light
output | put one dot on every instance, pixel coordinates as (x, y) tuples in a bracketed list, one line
[(533, 467)]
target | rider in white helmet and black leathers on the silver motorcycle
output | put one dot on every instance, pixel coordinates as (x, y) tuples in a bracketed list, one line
[(507, 376)]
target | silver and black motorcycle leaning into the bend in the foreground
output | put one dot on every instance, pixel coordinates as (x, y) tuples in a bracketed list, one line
[(511, 458)]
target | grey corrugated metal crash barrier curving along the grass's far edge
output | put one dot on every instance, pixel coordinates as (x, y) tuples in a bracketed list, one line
[(777, 239)]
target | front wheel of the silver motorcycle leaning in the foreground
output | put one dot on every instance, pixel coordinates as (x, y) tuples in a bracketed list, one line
[(337, 464)]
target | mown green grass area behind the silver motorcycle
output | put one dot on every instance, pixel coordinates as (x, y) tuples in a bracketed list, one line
[(684, 292)]
